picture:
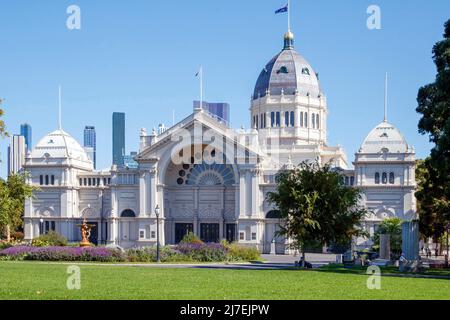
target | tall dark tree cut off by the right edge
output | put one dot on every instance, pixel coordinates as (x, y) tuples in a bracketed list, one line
[(434, 179)]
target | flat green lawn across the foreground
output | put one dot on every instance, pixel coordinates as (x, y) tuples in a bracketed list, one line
[(32, 280)]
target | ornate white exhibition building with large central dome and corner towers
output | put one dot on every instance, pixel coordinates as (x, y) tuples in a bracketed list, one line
[(212, 180)]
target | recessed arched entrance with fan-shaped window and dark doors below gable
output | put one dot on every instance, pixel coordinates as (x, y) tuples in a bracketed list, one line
[(199, 197)]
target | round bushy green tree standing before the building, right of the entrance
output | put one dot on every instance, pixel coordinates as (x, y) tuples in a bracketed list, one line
[(316, 206)]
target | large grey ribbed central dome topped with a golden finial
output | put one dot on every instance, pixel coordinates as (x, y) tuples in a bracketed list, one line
[(288, 72)]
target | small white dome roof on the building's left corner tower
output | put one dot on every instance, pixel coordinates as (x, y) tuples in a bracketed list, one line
[(60, 144)]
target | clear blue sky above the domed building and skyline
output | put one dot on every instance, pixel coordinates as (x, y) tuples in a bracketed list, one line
[(140, 57)]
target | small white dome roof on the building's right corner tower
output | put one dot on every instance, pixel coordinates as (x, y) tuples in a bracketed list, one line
[(385, 138)]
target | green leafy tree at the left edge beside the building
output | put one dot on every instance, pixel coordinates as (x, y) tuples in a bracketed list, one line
[(13, 193)]
